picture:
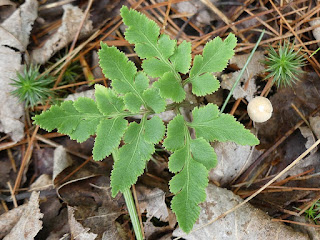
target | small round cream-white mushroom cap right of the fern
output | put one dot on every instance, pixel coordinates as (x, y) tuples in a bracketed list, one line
[(260, 109)]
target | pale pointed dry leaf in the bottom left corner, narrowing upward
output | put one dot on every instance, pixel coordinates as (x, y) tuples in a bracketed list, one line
[(29, 223)]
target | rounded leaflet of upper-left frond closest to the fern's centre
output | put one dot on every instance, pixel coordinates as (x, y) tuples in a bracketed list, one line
[(154, 100)]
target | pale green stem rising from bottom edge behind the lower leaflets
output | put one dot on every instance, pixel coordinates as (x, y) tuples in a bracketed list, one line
[(130, 204)]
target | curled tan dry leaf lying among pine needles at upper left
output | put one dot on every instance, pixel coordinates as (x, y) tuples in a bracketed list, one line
[(71, 20)]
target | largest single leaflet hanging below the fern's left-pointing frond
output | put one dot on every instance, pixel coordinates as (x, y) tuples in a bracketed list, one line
[(109, 134)]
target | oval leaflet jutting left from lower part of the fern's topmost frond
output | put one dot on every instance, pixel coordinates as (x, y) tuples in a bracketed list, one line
[(155, 68)]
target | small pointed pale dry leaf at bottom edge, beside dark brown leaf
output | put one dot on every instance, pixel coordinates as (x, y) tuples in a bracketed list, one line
[(78, 232)]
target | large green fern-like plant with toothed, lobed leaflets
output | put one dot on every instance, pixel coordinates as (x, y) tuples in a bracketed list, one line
[(131, 94)]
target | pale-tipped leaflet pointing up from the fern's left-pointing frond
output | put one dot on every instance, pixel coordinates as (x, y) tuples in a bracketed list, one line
[(107, 101)]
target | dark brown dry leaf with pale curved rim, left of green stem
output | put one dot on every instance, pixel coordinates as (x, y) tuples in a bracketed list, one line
[(94, 205)]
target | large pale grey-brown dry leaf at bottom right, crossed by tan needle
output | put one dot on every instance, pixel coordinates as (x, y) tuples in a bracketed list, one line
[(246, 223)]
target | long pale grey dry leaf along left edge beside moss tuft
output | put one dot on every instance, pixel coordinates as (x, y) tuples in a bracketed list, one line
[(14, 38)]
